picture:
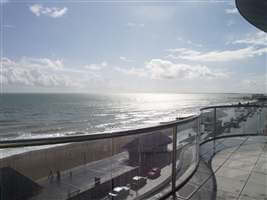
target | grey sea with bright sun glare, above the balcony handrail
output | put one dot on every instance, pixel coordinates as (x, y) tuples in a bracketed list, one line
[(45, 115)]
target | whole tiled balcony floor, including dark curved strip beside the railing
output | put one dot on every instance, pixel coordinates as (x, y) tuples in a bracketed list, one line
[(238, 171)]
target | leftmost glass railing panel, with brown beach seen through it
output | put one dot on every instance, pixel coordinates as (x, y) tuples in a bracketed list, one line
[(67, 171)]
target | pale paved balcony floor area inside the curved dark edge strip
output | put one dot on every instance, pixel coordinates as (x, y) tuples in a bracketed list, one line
[(241, 172)]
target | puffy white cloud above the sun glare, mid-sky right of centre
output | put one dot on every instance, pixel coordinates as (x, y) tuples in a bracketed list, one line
[(164, 69)]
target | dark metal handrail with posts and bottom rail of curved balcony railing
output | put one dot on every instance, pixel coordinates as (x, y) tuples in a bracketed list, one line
[(93, 137)]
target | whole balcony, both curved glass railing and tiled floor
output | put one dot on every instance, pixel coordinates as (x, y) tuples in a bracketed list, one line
[(219, 154)]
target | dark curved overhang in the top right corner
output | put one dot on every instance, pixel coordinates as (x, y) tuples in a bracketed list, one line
[(254, 11)]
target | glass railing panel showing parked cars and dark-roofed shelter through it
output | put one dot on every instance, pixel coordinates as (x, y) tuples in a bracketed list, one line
[(142, 164)]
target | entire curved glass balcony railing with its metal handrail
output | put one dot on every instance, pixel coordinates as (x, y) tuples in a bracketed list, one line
[(151, 162)]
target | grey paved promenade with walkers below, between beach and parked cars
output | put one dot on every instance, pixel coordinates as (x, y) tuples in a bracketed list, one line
[(82, 177)]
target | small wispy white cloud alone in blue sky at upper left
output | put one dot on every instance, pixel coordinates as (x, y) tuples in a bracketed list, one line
[(54, 12)]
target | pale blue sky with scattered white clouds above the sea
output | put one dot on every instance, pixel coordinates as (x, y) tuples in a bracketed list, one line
[(133, 46)]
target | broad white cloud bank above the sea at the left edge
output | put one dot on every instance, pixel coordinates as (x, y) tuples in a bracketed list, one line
[(37, 72)]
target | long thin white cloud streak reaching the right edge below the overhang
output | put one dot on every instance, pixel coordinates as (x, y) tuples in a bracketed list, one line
[(216, 56)]
